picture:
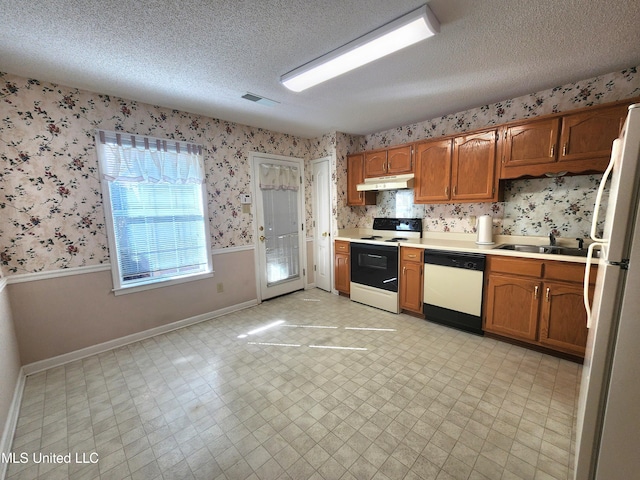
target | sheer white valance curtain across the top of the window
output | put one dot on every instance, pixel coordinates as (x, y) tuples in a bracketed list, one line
[(134, 158)]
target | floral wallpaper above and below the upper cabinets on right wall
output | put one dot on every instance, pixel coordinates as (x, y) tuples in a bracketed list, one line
[(563, 205)]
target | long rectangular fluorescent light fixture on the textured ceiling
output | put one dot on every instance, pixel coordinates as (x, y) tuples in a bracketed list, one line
[(396, 35)]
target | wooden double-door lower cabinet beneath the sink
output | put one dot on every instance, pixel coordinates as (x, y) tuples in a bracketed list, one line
[(538, 302)]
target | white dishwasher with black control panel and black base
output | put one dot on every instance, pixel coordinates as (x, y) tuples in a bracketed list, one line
[(453, 283)]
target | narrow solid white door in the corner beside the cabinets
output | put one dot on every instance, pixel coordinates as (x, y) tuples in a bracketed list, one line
[(322, 215)]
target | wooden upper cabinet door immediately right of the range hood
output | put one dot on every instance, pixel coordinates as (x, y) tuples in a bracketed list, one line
[(433, 171)]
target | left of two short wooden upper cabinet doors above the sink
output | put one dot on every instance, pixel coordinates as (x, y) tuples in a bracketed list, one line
[(530, 143)]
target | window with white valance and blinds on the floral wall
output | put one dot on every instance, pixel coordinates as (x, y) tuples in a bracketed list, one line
[(155, 206)]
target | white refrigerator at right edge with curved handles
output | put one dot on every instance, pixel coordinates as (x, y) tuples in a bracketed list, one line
[(608, 420)]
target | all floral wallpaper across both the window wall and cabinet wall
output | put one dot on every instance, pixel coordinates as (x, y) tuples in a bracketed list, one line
[(51, 214)]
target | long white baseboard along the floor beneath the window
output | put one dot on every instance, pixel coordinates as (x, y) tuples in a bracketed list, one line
[(59, 360)]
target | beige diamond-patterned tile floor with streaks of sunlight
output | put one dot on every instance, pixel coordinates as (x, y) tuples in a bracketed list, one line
[(220, 400)]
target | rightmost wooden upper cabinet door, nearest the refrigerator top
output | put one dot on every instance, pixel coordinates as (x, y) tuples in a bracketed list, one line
[(588, 135)]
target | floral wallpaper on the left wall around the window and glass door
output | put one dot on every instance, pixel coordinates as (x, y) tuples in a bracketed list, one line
[(50, 197)]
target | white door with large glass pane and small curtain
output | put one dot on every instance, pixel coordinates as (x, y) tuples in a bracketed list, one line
[(279, 195)]
